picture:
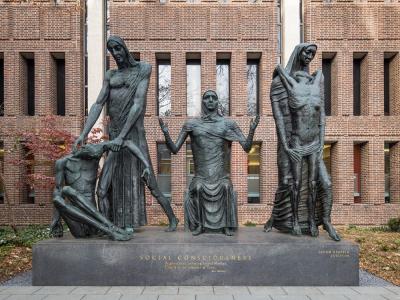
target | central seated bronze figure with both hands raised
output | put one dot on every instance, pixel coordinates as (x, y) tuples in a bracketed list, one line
[(210, 203)]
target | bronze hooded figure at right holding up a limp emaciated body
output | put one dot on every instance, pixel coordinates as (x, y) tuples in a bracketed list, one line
[(297, 100)]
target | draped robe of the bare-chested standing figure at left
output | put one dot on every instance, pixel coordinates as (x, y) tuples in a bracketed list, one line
[(122, 170)]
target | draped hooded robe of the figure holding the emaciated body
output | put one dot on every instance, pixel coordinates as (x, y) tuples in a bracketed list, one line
[(282, 217)]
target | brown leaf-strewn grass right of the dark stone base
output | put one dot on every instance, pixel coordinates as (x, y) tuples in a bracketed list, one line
[(379, 250)]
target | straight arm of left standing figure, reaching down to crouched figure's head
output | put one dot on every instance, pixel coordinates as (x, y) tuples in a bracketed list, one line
[(95, 110)]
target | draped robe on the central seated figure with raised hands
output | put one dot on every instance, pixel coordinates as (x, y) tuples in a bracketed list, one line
[(211, 200)]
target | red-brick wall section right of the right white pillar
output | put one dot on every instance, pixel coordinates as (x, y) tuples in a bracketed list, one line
[(348, 28)]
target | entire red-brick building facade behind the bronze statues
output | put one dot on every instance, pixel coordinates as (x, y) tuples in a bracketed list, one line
[(210, 28)]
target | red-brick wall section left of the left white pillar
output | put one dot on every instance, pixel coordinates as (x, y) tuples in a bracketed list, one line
[(43, 31)]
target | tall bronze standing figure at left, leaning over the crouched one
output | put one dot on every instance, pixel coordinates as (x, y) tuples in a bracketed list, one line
[(121, 190)]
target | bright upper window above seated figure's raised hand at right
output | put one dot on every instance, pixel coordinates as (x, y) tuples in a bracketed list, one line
[(252, 72)]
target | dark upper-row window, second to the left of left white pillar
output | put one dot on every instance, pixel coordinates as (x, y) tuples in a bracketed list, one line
[(28, 84)]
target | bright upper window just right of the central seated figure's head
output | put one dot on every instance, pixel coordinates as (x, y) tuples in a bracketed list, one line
[(223, 84)]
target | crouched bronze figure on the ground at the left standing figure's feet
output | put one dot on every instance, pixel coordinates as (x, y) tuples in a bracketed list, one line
[(74, 193)]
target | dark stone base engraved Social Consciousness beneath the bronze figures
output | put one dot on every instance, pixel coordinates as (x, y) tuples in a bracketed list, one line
[(154, 257)]
